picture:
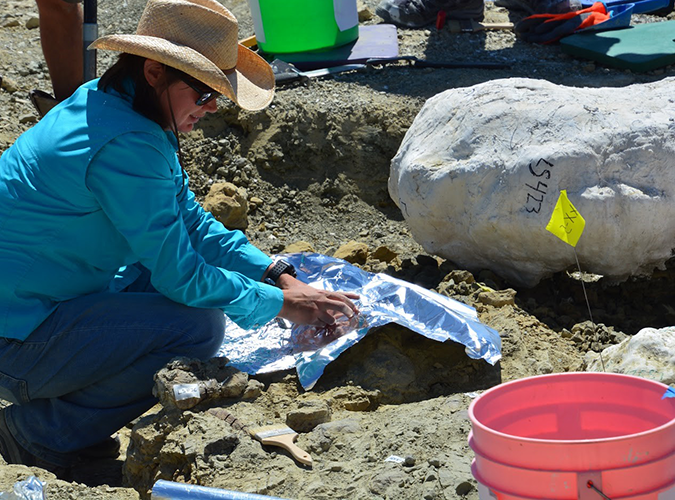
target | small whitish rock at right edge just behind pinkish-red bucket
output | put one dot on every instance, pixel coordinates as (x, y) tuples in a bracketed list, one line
[(648, 354)]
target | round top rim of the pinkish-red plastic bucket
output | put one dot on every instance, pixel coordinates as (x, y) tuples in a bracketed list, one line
[(565, 442)]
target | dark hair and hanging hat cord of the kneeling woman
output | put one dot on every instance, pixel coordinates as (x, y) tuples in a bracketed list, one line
[(145, 99)]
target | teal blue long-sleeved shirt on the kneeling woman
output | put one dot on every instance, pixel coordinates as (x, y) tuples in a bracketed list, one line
[(95, 187)]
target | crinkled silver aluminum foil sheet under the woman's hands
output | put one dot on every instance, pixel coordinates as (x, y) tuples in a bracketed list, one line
[(280, 345)]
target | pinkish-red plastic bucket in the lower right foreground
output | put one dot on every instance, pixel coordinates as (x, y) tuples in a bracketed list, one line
[(574, 436)]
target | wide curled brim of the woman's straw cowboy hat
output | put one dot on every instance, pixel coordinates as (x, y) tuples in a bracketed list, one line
[(250, 84)]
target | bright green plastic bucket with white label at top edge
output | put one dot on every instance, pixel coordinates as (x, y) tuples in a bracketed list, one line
[(287, 26)]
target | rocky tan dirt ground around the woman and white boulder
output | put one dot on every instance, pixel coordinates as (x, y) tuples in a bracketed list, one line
[(389, 418)]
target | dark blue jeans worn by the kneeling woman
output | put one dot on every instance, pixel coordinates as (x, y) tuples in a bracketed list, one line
[(88, 369)]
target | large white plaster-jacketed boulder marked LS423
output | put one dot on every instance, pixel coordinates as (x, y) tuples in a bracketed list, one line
[(480, 170)]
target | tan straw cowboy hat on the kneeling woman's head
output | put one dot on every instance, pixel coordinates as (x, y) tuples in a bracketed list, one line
[(199, 37)]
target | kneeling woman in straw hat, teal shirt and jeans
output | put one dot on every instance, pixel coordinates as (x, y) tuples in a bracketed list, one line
[(109, 267)]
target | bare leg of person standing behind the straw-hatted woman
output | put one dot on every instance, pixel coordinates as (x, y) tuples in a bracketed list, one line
[(61, 38)]
